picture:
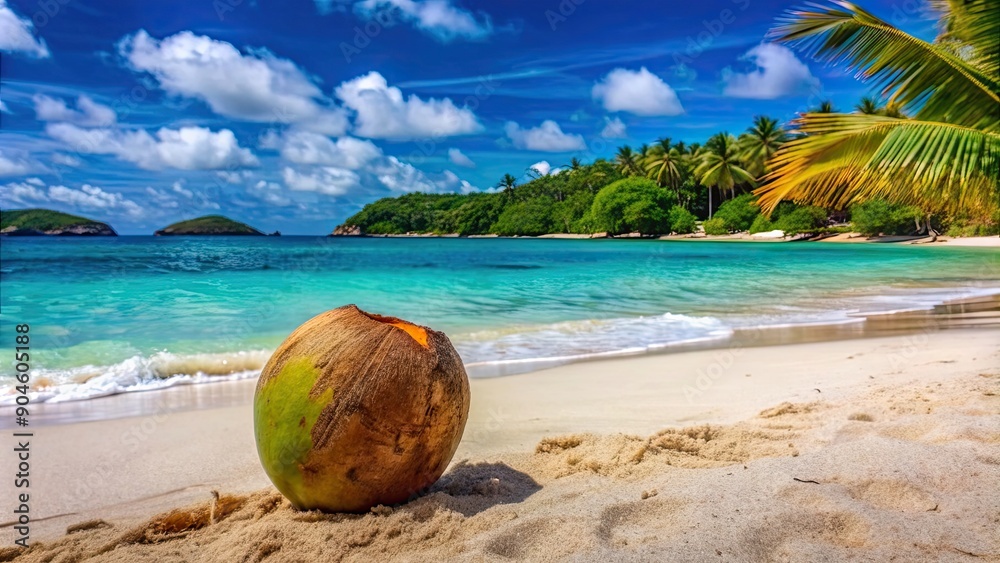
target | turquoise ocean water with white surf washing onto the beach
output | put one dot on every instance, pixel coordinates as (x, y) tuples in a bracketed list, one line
[(113, 315)]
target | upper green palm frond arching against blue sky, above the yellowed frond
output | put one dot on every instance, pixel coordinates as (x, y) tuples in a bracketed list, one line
[(925, 79)]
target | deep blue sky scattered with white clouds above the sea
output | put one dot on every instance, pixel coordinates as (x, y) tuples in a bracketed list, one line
[(292, 115)]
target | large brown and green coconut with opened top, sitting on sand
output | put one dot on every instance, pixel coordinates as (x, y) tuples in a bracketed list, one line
[(355, 410)]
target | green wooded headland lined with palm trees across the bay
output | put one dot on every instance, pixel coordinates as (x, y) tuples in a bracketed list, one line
[(670, 187)]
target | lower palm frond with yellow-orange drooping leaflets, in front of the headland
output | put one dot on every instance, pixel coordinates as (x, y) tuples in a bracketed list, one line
[(848, 158)]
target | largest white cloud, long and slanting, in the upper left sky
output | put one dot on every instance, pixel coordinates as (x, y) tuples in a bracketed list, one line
[(255, 86)]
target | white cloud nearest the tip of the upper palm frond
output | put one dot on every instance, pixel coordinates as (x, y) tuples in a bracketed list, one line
[(778, 73)]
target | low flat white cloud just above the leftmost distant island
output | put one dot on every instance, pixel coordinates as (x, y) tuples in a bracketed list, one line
[(87, 197)]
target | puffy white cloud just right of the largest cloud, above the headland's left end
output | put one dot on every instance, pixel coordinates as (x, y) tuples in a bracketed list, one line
[(383, 113)]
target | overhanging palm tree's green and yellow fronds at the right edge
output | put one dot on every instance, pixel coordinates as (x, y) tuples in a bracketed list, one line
[(946, 157)]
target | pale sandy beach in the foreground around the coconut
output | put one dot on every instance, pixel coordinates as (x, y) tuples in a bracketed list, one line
[(848, 450)]
